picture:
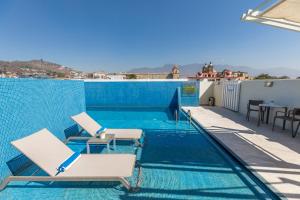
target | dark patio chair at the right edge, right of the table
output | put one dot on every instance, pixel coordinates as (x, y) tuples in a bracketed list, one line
[(292, 116)]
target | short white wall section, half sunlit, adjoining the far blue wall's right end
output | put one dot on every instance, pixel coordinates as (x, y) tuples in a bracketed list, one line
[(206, 91)]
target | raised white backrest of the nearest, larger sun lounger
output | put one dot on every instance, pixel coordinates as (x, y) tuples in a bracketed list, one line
[(44, 149)]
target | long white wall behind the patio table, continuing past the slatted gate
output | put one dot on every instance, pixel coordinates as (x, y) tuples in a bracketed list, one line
[(283, 92)]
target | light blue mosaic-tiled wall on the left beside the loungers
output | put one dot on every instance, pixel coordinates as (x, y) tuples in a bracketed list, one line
[(28, 105)]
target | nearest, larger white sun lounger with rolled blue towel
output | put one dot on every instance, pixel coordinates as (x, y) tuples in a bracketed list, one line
[(48, 152)]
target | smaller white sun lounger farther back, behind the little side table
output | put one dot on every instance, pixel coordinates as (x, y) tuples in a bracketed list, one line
[(92, 127)]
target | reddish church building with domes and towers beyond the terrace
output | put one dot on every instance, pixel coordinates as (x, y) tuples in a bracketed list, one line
[(208, 72)]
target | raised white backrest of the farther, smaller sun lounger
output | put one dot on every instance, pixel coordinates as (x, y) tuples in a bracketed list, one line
[(87, 123)]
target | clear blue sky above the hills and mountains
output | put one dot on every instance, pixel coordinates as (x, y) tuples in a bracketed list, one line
[(118, 35)]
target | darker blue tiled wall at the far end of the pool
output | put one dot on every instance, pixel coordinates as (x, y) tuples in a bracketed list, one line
[(136, 94)]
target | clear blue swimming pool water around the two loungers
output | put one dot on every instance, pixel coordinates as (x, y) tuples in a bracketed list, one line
[(179, 161)]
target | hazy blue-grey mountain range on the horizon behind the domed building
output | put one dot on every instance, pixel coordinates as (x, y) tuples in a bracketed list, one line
[(192, 69)]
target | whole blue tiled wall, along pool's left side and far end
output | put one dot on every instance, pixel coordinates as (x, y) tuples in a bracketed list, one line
[(28, 105)]
